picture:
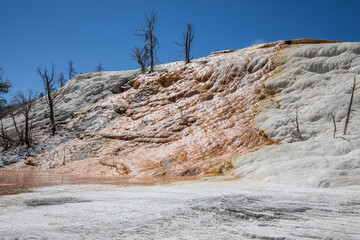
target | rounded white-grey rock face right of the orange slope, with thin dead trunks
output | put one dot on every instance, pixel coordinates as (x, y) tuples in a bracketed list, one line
[(315, 81)]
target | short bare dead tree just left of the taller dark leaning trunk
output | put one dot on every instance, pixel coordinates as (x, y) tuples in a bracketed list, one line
[(25, 106)]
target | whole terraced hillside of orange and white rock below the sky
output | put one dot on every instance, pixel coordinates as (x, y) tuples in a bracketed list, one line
[(198, 118)]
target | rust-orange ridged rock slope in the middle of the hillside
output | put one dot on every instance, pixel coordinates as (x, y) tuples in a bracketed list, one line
[(186, 120)]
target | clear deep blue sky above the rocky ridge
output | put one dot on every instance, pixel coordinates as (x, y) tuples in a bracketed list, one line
[(36, 32)]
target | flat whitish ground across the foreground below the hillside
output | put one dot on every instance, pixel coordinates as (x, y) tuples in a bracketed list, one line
[(208, 209)]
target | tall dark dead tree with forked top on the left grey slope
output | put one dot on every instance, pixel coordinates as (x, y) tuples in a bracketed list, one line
[(48, 80)]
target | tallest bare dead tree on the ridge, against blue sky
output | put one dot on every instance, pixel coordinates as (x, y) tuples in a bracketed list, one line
[(147, 33)]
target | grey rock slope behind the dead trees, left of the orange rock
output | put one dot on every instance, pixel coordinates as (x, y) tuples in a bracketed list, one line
[(79, 92)]
